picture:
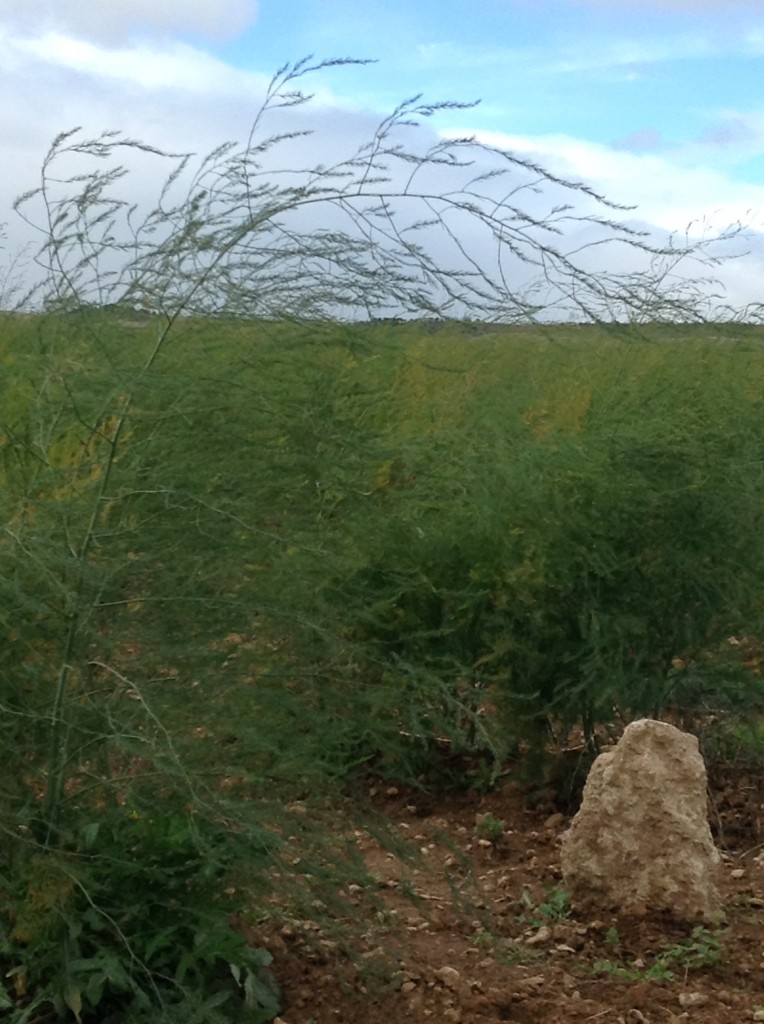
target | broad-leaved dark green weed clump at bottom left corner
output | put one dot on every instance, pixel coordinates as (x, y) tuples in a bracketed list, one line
[(133, 919)]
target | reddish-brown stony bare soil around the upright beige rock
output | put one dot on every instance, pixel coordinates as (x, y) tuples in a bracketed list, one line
[(473, 927)]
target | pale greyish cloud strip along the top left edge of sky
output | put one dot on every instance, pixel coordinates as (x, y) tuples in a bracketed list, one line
[(111, 21)]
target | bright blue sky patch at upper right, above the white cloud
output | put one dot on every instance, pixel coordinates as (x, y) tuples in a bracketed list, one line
[(678, 79)]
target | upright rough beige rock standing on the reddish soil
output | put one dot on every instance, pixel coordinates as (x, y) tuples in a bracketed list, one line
[(642, 839)]
